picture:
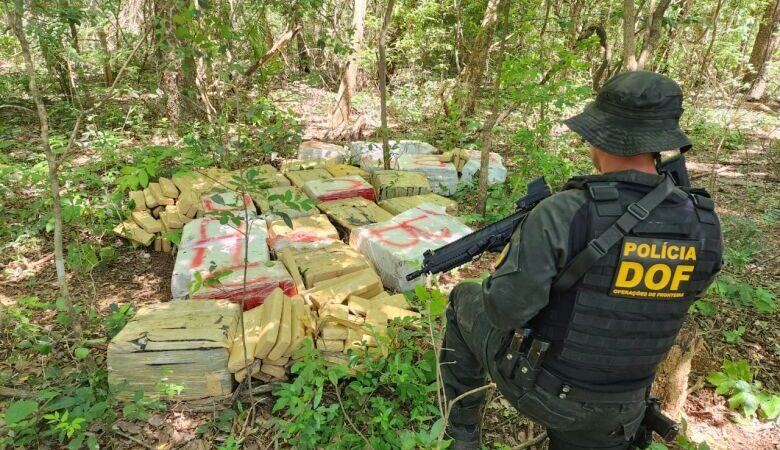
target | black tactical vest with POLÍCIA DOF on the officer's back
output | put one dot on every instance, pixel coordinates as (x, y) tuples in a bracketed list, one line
[(611, 329)]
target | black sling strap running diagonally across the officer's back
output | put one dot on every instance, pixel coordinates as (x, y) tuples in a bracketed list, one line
[(598, 247)]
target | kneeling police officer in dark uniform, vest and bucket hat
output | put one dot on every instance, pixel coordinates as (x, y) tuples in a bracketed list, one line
[(594, 286)]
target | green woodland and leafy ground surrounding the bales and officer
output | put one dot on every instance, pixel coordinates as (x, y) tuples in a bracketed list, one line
[(99, 96)]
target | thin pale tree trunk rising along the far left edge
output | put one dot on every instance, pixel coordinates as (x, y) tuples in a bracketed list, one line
[(15, 23)]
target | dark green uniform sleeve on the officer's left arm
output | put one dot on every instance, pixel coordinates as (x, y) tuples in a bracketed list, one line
[(538, 250)]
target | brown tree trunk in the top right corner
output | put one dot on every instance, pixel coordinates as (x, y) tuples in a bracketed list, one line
[(763, 49)]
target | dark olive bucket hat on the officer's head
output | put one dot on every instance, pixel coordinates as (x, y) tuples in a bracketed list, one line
[(634, 113)]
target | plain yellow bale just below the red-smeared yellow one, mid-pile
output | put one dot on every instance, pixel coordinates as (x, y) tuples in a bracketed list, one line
[(310, 266)]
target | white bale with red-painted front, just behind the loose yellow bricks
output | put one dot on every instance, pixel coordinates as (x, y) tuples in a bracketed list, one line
[(261, 279)]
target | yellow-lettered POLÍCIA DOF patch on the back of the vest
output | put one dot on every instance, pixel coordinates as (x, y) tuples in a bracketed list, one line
[(654, 268)]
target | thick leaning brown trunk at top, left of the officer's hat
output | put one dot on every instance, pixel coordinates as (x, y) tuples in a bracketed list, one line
[(474, 71)]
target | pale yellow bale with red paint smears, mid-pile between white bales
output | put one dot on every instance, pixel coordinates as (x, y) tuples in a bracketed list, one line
[(307, 232)]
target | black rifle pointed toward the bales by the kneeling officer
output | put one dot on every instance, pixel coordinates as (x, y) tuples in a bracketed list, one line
[(493, 237)]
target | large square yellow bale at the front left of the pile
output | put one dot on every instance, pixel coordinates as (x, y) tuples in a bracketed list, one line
[(179, 343)]
